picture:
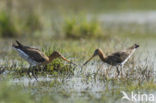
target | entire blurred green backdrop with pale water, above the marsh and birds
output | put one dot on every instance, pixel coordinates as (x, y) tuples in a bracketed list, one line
[(77, 18)]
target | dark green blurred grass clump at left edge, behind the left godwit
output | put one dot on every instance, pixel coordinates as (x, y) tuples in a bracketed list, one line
[(12, 26)]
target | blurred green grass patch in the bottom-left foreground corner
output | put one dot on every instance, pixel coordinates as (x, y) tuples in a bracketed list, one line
[(11, 94)]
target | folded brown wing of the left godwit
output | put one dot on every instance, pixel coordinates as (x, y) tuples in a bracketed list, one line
[(35, 54)]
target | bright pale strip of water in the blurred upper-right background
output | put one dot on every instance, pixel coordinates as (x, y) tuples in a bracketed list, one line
[(130, 17)]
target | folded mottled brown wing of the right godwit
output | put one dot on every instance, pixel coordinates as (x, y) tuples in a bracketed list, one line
[(117, 57)]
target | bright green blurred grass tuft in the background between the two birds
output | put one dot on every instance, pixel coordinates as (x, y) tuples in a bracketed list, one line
[(81, 27)]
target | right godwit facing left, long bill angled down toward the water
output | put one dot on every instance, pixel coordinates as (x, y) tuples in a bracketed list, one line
[(115, 59)]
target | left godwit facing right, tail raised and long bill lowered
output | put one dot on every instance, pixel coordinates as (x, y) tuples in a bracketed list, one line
[(34, 56)]
